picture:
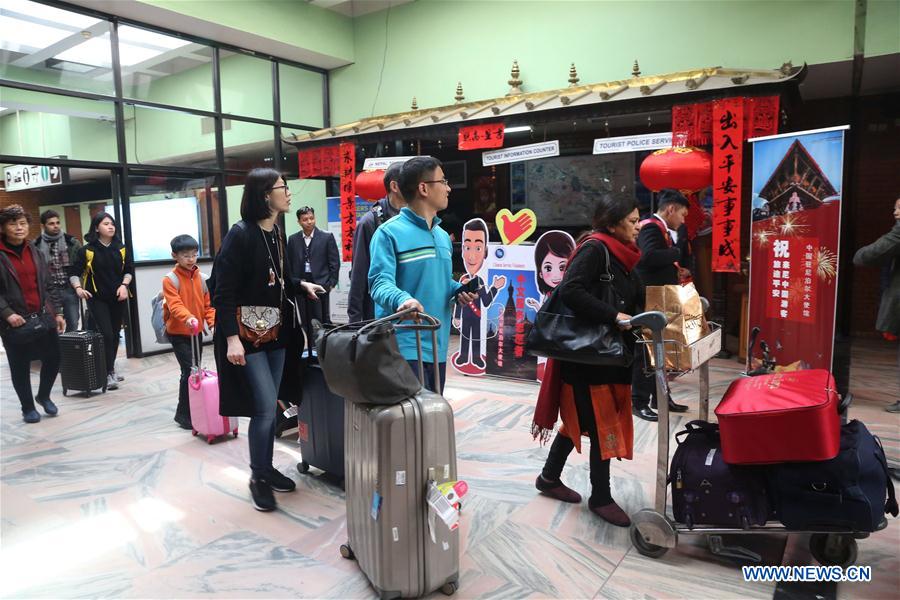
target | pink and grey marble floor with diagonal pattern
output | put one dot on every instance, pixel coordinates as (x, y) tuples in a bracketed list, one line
[(112, 499)]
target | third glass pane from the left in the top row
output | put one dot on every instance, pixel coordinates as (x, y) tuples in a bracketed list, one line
[(246, 85)]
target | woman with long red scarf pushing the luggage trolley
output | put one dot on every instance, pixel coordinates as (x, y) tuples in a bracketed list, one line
[(594, 400)]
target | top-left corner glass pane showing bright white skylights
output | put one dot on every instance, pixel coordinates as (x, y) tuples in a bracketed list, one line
[(50, 46)]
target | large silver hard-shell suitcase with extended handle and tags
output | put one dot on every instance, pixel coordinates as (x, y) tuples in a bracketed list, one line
[(392, 454)]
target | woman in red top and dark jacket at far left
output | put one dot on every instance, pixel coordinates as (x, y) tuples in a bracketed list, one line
[(29, 325)]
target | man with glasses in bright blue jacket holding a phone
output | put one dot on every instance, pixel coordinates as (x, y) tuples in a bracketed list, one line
[(411, 263)]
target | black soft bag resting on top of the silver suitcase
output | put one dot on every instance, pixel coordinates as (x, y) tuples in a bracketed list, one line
[(362, 362)]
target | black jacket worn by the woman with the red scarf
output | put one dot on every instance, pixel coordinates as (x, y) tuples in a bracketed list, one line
[(582, 290)]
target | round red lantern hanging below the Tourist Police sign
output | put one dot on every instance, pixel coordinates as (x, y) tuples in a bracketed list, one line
[(687, 169)]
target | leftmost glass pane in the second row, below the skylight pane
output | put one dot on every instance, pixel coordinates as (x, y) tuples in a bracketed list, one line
[(50, 125)]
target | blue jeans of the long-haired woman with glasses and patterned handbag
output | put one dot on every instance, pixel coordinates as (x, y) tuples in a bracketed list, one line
[(263, 372)]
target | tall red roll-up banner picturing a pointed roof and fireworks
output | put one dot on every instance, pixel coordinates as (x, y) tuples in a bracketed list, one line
[(795, 232)]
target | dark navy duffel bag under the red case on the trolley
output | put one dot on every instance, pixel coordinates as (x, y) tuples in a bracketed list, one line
[(852, 491)]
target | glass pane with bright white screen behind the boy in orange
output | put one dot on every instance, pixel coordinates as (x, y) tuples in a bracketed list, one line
[(163, 206)]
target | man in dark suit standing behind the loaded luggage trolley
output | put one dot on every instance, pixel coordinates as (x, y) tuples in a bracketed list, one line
[(659, 265)]
